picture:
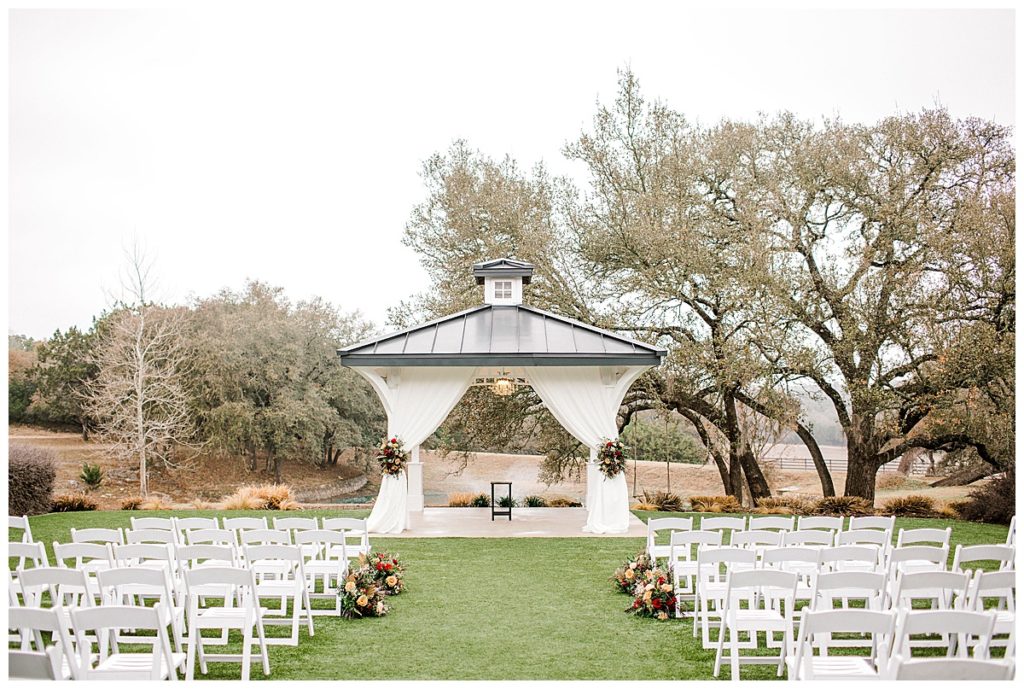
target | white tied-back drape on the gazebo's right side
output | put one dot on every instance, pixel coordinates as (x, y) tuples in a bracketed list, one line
[(586, 402)]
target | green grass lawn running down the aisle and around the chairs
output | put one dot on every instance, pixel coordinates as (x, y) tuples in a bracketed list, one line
[(497, 610)]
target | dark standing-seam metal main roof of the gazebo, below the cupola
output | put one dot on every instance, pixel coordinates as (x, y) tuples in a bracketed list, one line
[(506, 336)]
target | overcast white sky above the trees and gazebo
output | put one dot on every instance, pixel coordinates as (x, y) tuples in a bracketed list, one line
[(285, 145)]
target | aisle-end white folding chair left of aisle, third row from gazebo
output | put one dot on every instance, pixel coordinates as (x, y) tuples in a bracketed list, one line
[(280, 575)]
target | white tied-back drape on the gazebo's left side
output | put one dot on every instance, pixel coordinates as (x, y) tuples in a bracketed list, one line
[(417, 400)]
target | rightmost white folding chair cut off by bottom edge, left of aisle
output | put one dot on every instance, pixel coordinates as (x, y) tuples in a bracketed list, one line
[(114, 663)]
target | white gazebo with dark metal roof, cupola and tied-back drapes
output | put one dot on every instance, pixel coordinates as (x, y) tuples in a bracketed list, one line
[(581, 373)]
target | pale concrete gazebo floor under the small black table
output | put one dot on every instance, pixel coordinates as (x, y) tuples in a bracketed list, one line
[(528, 523)]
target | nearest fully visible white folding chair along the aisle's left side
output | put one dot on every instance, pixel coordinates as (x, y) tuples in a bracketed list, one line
[(234, 585)]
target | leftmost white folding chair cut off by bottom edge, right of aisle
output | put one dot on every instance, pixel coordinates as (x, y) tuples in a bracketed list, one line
[(817, 629)]
